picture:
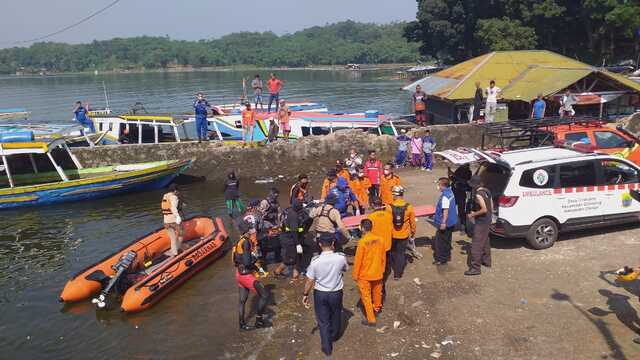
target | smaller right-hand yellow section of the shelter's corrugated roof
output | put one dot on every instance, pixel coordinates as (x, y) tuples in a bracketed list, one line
[(536, 80)]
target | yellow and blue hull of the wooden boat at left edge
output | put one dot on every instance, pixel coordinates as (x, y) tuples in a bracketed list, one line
[(87, 189)]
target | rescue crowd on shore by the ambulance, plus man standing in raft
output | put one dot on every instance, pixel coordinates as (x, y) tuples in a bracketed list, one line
[(307, 238)]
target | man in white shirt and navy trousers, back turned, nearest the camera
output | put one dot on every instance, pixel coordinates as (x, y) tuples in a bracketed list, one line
[(324, 275)]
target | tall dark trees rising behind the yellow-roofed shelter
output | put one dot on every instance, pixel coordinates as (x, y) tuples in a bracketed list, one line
[(594, 31)]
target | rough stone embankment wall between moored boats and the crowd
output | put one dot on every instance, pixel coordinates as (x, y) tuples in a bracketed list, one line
[(311, 155)]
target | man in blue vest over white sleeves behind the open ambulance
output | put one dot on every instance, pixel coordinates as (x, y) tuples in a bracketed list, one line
[(445, 220)]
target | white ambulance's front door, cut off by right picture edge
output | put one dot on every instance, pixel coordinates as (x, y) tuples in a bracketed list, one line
[(618, 178)]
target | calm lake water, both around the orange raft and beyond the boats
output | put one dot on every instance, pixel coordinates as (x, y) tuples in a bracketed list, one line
[(40, 248)]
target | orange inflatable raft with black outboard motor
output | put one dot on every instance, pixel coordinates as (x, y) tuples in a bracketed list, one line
[(143, 273)]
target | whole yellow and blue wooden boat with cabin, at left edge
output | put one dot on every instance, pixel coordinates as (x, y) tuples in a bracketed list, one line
[(41, 180)]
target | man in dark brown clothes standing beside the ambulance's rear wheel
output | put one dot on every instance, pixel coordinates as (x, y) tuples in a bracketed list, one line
[(481, 213)]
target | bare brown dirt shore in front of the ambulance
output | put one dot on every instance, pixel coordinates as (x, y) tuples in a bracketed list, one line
[(558, 303)]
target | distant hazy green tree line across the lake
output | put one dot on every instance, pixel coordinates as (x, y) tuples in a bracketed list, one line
[(333, 44)]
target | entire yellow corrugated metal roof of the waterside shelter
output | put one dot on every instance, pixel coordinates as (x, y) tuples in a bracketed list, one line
[(521, 75)]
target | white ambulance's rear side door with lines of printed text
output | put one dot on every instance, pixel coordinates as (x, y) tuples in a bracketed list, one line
[(577, 202)]
